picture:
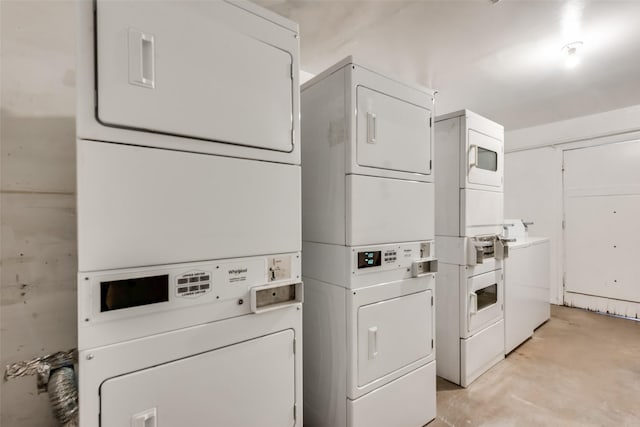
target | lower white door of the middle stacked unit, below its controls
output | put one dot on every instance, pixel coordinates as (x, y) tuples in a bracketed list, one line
[(393, 334)]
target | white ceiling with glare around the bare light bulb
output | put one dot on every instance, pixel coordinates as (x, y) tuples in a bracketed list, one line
[(501, 60)]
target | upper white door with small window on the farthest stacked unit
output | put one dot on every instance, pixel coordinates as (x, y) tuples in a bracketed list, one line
[(485, 159)]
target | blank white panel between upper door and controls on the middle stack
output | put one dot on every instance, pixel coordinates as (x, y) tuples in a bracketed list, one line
[(383, 210)]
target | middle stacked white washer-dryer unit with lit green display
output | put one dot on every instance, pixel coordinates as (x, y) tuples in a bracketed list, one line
[(368, 242)]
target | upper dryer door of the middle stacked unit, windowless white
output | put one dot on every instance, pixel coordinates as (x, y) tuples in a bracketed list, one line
[(392, 134)]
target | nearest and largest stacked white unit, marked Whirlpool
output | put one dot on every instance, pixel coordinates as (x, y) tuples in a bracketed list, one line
[(189, 225)]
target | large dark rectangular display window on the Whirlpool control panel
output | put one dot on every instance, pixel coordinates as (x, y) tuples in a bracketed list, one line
[(134, 292)]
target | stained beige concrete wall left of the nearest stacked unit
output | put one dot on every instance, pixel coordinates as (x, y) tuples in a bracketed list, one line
[(37, 200)]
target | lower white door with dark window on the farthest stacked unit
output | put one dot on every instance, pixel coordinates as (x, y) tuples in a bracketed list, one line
[(484, 300)]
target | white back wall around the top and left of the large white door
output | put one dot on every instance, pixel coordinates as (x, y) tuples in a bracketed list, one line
[(534, 178)]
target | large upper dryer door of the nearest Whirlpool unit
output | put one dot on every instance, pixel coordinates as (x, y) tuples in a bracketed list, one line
[(207, 70)]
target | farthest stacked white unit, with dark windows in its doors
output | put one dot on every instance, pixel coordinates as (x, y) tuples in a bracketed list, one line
[(471, 248)]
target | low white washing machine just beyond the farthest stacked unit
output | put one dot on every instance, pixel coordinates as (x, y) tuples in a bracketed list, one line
[(527, 283)]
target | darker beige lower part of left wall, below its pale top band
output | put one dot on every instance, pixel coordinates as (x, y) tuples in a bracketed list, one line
[(38, 252)]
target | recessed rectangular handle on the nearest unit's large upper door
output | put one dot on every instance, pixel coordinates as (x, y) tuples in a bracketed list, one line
[(141, 59)]
